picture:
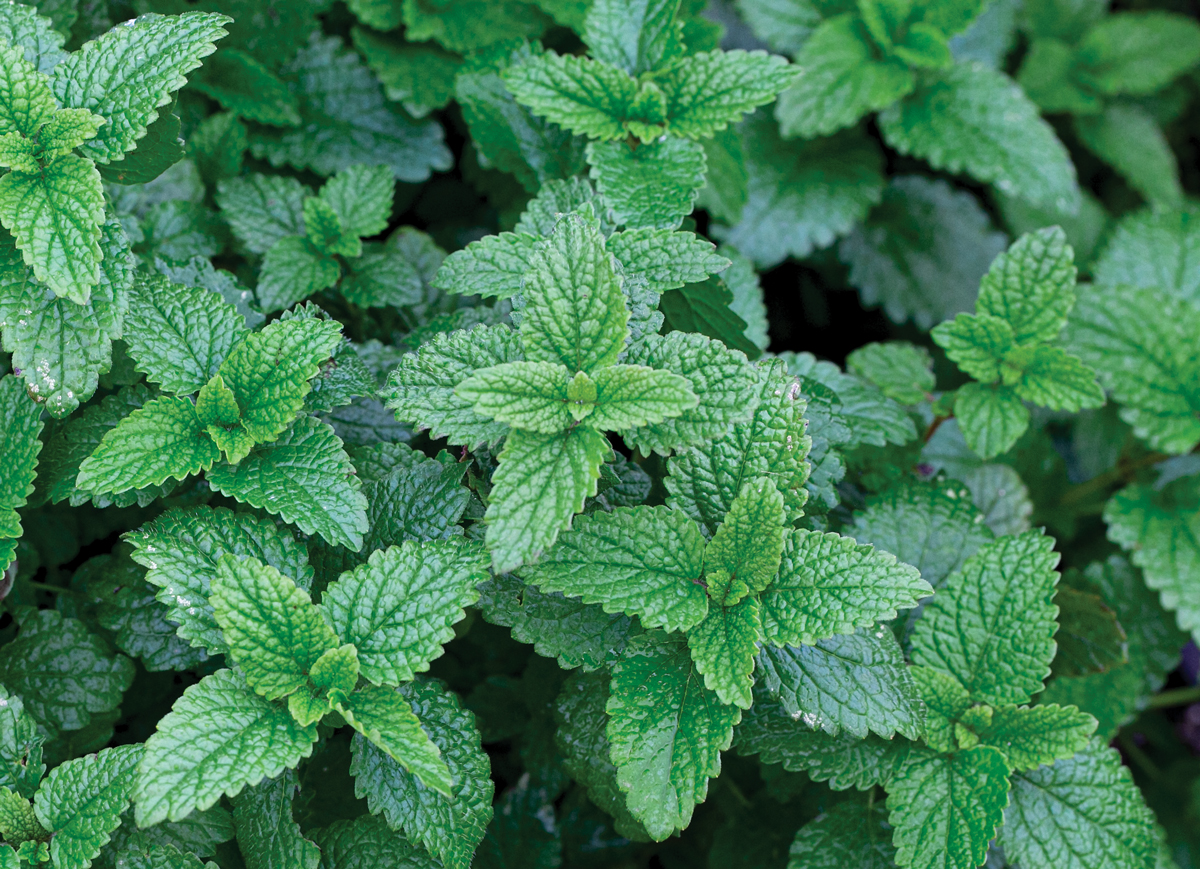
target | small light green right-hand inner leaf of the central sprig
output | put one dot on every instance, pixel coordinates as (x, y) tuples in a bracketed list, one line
[(634, 395)]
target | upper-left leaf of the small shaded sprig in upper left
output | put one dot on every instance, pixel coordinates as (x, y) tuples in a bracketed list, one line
[(262, 211)]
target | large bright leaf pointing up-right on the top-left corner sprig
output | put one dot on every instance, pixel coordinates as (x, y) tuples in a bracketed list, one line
[(129, 73)]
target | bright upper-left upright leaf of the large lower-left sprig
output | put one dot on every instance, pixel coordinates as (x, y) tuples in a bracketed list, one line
[(272, 630)]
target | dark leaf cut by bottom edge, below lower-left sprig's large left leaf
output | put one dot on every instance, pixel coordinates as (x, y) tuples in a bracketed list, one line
[(268, 837)]
